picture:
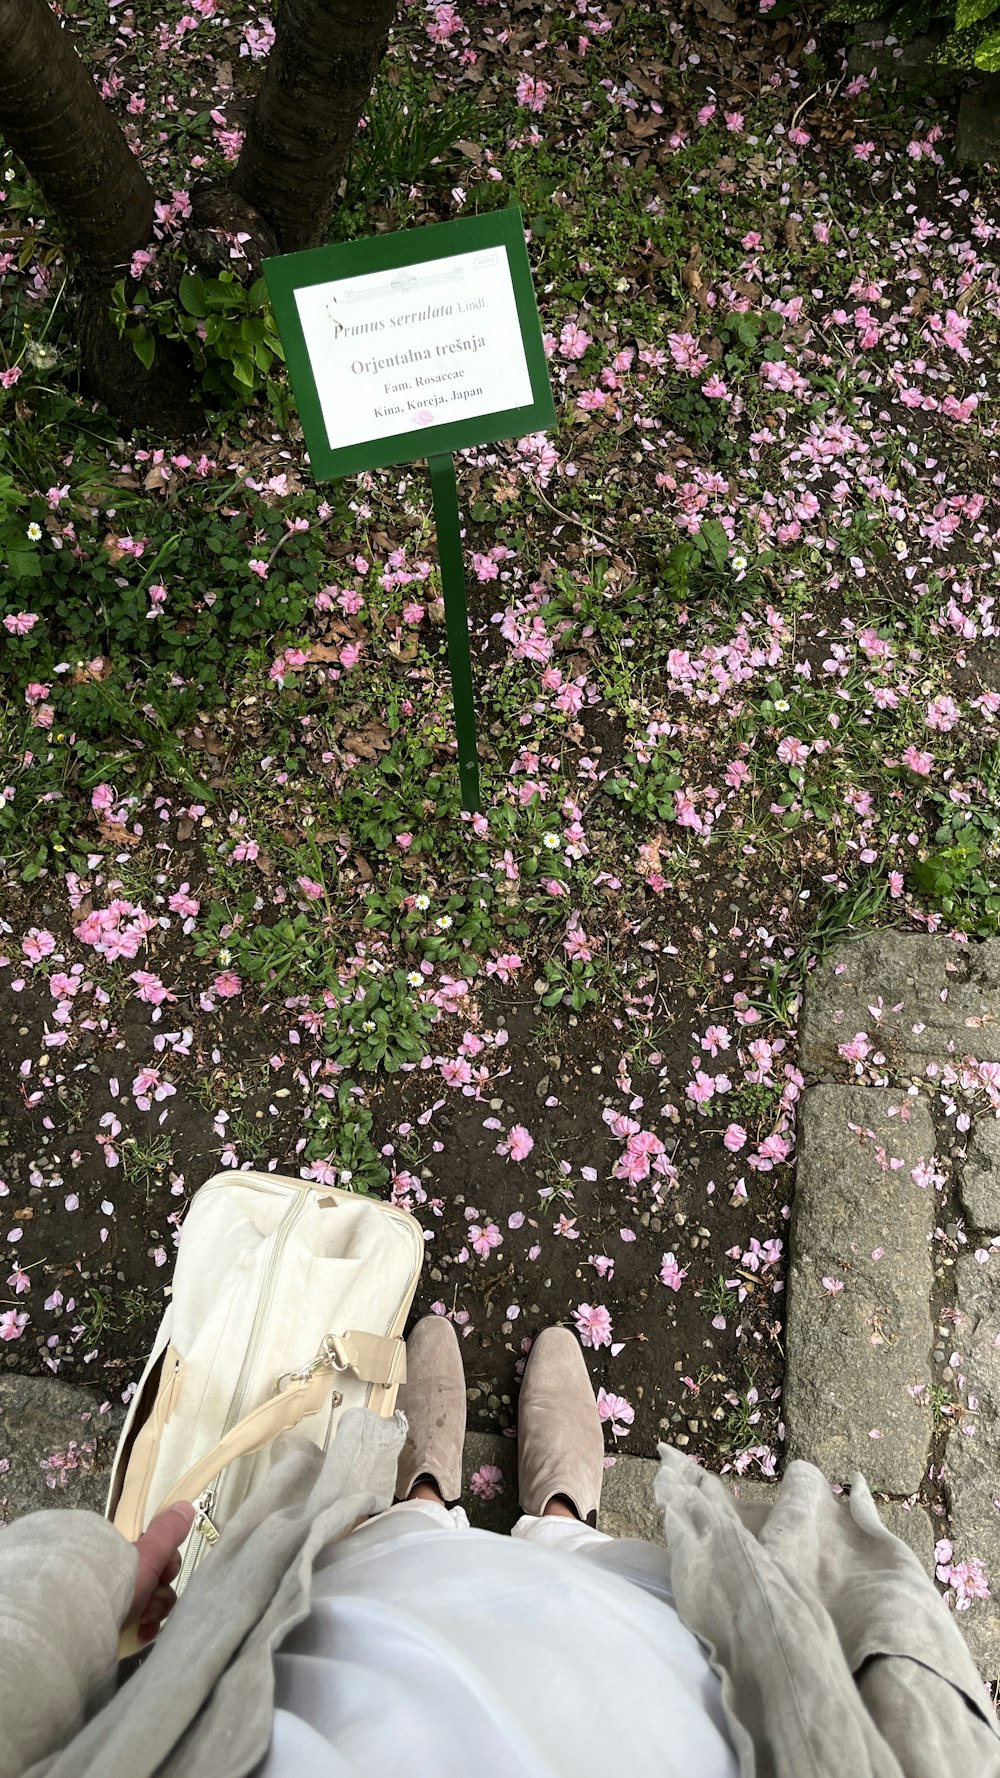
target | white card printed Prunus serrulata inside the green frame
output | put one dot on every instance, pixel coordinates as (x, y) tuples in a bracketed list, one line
[(415, 348)]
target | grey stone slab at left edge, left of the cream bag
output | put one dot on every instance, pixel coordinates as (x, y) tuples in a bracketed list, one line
[(44, 1418)]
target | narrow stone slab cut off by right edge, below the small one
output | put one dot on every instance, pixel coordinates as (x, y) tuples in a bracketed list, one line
[(972, 1471)]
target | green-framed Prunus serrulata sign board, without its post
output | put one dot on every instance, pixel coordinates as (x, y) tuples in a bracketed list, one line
[(415, 344)]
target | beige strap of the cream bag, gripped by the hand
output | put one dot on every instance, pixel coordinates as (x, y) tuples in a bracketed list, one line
[(373, 1358)]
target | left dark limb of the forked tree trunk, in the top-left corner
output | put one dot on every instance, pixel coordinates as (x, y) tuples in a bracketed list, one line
[(54, 118)]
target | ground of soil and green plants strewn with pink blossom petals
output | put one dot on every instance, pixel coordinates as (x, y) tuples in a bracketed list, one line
[(738, 657)]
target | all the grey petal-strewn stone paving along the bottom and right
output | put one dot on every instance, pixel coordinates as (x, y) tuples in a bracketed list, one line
[(894, 1290)]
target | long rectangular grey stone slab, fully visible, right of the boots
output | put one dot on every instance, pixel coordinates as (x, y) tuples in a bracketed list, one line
[(851, 1358)]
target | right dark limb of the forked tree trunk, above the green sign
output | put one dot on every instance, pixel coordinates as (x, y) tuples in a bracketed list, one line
[(318, 81)]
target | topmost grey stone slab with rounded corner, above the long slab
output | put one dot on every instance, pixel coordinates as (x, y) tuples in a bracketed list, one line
[(939, 1002)]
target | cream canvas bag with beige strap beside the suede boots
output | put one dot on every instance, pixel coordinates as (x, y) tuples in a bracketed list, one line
[(289, 1304)]
